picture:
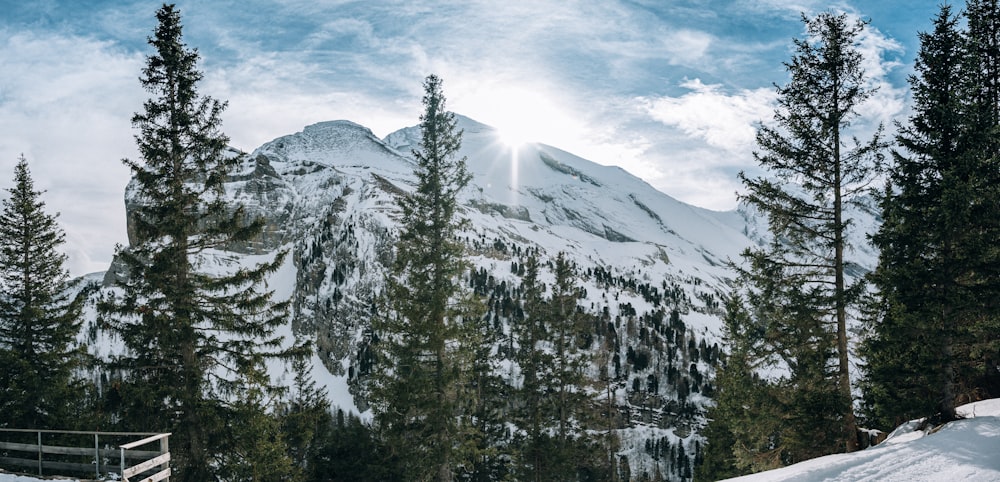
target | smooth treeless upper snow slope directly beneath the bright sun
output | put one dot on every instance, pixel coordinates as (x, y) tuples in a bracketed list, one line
[(585, 204)]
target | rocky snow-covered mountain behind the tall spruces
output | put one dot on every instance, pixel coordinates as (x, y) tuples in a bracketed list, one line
[(652, 268)]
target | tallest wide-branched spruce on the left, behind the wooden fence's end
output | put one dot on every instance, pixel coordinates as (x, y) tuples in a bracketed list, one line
[(197, 327)]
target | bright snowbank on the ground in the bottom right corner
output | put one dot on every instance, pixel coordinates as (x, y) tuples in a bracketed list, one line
[(961, 450)]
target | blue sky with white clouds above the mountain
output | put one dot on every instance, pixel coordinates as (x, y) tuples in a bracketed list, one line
[(669, 90)]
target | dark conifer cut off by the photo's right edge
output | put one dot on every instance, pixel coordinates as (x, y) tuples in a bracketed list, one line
[(973, 198)]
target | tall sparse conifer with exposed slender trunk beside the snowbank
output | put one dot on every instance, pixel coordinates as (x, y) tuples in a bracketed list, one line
[(808, 148)]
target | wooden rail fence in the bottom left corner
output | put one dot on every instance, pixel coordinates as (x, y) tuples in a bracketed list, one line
[(59, 452)]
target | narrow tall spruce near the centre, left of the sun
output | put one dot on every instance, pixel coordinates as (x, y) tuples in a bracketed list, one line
[(421, 393)]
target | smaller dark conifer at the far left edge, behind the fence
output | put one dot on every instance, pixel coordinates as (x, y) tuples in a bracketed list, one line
[(39, 318)]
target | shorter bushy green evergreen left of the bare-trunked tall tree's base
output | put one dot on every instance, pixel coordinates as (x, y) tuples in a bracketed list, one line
[(760, 424)]
